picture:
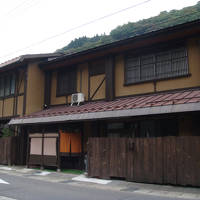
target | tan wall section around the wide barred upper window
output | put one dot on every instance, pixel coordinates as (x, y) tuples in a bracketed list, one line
[(163, 85)]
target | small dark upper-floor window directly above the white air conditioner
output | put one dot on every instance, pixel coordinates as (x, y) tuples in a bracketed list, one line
[(66, 82)]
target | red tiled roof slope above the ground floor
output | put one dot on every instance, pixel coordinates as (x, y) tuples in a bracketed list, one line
[(135, 102)]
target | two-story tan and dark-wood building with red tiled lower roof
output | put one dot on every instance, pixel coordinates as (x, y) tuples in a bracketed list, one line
[(140, 113)]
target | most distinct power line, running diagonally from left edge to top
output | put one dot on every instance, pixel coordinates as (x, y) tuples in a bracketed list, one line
[(77, 27)]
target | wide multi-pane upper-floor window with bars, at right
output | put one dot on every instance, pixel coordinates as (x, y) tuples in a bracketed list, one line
[(155, 66)]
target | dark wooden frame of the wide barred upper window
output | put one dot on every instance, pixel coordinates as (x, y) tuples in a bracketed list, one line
[(155, 52)]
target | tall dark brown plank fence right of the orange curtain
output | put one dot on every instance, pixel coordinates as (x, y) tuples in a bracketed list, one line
[(162, 160)]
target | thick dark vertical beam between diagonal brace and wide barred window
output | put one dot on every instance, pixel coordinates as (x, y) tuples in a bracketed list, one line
[(110, 78)]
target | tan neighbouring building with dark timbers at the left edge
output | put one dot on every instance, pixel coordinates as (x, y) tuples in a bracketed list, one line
[(21, 88)]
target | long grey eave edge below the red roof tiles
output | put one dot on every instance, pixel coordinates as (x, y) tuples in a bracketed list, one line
[(168, 109)]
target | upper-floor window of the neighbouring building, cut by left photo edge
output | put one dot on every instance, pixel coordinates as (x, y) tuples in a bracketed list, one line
[(7, 85)]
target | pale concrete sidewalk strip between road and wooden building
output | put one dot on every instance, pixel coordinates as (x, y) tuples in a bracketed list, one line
[(83, 181)]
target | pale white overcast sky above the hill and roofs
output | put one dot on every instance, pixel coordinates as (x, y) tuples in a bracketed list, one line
[(43, 26)]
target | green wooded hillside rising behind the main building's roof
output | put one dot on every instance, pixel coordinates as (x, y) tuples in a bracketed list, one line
[(163, 20)]
